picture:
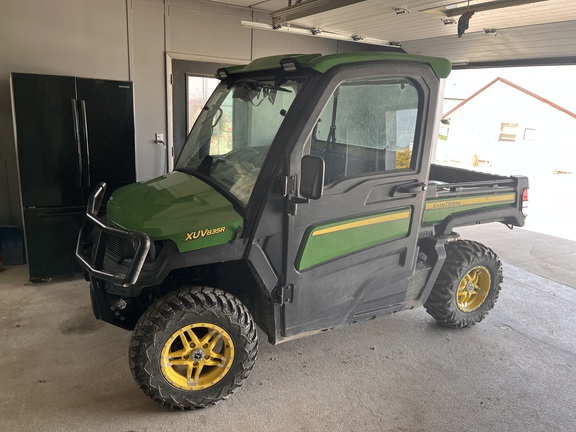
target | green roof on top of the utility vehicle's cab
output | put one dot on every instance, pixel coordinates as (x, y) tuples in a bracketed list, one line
[(323, 63)]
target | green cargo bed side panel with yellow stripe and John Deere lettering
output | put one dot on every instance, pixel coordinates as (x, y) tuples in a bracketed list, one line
[(439, 209)]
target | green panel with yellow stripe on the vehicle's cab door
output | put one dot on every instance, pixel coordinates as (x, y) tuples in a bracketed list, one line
[(325, 242)]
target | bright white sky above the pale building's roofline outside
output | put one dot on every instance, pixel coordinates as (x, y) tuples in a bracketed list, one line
[(555, 83)]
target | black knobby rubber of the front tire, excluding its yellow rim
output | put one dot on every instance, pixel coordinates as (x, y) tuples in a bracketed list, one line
[(184, 309)]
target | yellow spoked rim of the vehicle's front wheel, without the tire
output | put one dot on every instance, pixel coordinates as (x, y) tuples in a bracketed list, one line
[(197, 356)]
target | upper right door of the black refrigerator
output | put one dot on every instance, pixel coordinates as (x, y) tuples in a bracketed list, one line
[(106, 116)]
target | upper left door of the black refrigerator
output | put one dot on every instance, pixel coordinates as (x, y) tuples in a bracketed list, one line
[(48, 158)]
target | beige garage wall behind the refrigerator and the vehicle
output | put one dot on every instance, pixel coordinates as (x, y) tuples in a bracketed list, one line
[(126, 40)]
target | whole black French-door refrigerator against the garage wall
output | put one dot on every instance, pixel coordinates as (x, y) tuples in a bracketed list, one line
[(71, 133)]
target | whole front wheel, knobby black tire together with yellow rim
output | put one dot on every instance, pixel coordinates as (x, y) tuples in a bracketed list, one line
[(193, 348)]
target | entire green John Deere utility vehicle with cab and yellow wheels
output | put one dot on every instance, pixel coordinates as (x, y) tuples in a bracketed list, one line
[(304, 199)]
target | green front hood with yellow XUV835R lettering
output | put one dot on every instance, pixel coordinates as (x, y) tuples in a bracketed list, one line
[(176, 207)]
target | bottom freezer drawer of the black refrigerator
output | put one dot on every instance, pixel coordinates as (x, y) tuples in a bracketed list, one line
[(51, 235)]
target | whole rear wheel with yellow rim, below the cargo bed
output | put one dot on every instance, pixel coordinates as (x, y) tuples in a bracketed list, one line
[(468, 285)]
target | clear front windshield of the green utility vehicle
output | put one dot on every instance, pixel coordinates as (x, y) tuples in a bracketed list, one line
[(234, 131)]
